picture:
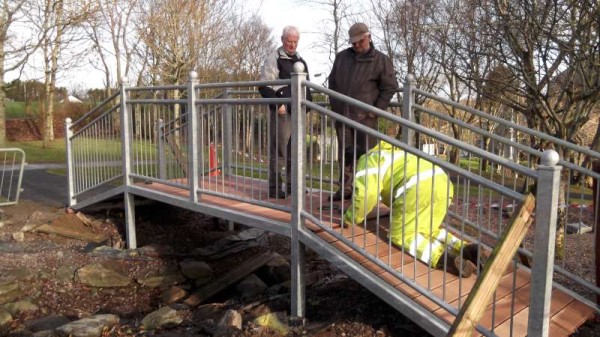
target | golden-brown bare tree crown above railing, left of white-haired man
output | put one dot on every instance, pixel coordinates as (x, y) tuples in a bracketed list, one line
[(184, 35)]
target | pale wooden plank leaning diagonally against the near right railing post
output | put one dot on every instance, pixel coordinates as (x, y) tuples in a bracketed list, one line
[(501, 257)]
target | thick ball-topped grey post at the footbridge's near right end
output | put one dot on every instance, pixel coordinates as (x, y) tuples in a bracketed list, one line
[(543, 250)]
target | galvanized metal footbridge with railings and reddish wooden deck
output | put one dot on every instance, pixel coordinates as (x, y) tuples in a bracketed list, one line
[(204, 147)]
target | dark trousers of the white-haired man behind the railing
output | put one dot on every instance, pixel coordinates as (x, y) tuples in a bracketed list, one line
[(280, 149)]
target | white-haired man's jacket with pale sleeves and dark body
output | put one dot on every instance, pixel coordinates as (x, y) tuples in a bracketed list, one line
[(280, 65)]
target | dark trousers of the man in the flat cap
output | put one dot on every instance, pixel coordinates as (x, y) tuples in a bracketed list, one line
[(350, 137)]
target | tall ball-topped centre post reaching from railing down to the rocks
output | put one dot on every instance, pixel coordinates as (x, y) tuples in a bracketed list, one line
[(298, 258)]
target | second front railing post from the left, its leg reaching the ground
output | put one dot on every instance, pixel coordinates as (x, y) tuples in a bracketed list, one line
[(129, 198)]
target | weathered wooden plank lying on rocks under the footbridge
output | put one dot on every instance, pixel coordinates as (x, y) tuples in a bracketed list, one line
[(228, 279)]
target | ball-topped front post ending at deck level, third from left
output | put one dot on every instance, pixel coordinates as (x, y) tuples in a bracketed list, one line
[(192, 119)]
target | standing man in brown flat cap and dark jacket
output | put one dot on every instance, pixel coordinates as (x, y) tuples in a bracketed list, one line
[(366, 74)]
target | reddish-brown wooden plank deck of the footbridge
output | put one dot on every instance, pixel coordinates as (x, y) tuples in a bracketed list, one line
[(508, 313)]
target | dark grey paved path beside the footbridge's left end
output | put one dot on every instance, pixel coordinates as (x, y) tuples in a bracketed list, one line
[(41, 186)]
